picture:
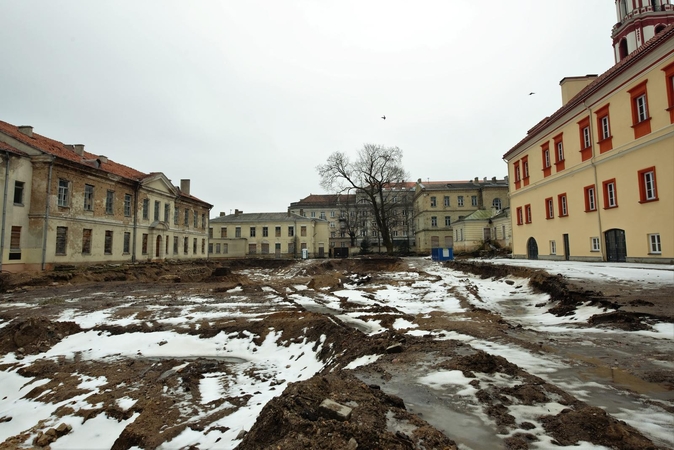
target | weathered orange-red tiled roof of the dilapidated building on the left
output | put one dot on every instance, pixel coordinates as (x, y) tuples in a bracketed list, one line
[(58, 149)]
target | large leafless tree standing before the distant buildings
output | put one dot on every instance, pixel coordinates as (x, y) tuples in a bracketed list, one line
[(374, 177)]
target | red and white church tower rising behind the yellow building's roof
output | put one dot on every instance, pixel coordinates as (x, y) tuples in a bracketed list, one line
[(638, 21)]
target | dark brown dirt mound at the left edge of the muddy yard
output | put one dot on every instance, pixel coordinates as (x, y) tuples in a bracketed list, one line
[(34, 335)]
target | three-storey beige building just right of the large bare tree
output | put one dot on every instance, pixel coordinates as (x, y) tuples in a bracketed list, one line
[(438, 204)]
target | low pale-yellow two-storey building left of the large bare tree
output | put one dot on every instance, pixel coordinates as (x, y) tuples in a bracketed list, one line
[(267, 235)]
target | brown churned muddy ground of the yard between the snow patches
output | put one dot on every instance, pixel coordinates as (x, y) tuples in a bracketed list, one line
[(380, 416)]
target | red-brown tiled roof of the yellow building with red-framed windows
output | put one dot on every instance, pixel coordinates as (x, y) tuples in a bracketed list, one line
[(598, 83)]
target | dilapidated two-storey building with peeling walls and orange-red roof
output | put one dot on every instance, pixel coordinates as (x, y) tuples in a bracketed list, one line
[(63, 205)]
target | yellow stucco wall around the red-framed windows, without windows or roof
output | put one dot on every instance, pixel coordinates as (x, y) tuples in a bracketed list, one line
[(623, 162)]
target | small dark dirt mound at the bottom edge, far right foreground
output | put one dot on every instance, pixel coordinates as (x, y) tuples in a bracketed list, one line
[(593, 425)]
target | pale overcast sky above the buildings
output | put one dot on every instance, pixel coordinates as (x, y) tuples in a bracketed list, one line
[(246, 98)]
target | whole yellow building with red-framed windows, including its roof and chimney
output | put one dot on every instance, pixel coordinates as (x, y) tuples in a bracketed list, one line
[(595, 180)]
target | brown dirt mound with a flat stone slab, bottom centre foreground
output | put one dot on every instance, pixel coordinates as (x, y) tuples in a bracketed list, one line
[(368, 419)]
